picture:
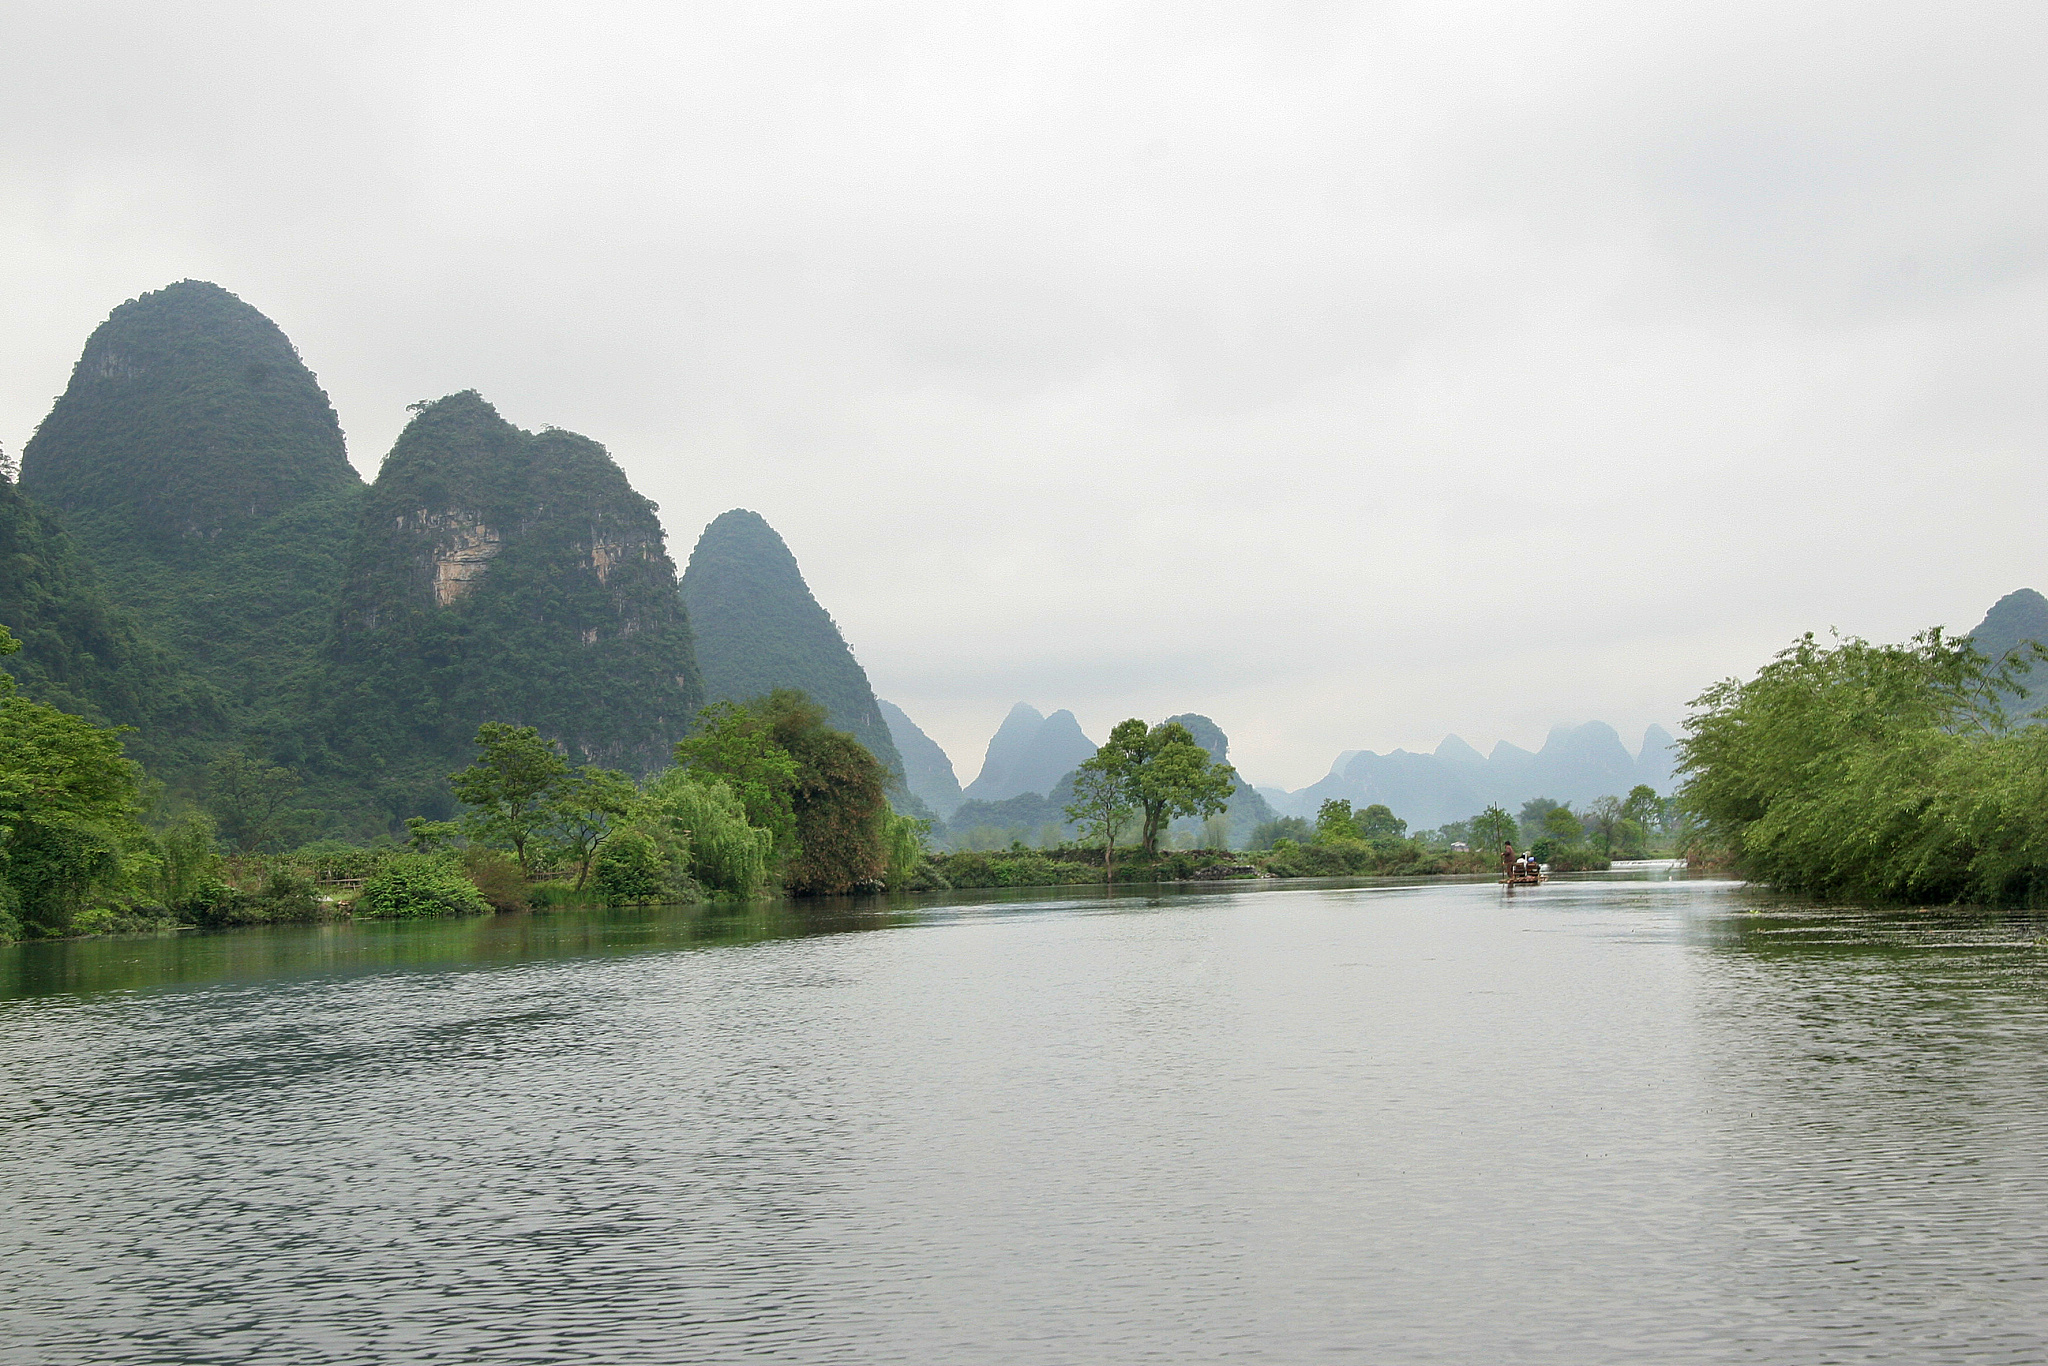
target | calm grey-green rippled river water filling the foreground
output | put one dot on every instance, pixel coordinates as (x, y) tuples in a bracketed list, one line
[(1601, 1121)]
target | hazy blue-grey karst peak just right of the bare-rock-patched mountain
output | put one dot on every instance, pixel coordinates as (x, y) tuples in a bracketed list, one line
[(759, 630)]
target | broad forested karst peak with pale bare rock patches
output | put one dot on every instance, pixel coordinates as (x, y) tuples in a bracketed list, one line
[(505, 577)]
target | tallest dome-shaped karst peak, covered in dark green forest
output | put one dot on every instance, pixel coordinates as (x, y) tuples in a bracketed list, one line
[(202, 472)]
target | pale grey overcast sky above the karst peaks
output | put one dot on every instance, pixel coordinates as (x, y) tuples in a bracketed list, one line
[(1351, 374)]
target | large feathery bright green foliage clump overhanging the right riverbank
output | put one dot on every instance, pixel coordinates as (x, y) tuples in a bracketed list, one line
[(1875, 773)]
